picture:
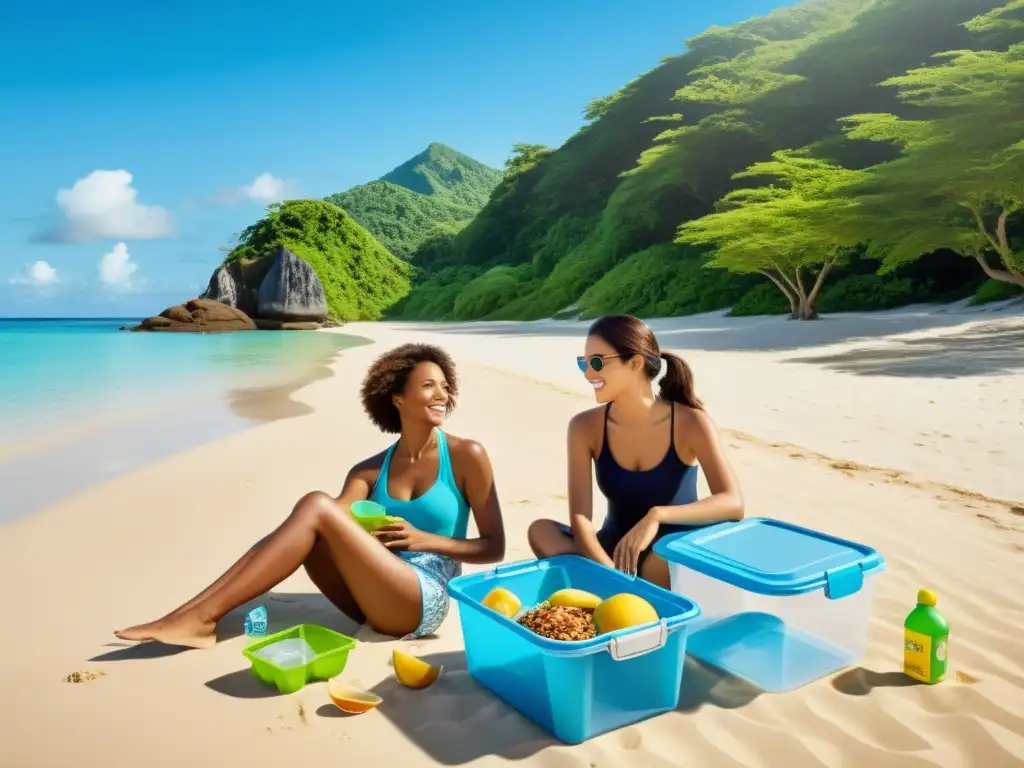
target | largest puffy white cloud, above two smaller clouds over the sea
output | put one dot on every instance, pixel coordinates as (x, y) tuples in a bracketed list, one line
[(105, 205)]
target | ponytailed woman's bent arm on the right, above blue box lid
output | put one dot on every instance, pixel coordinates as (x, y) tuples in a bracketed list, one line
[(727, 501)]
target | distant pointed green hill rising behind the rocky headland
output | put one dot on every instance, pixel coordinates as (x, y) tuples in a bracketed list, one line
[(439, 187)]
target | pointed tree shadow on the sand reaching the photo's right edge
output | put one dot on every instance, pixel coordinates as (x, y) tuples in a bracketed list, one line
[(970, 353)]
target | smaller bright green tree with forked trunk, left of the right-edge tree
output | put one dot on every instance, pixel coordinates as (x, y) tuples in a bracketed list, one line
[(782, 230)]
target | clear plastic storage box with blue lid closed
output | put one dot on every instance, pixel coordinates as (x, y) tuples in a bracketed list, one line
[(782, 606)]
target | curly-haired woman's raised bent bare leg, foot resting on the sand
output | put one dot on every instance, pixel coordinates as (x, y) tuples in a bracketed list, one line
[(385, 587)]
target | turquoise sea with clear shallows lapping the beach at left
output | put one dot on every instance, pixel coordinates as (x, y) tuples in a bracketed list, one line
[(81, 401)]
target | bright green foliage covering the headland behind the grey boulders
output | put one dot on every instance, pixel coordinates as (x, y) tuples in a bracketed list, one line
[(360, 277)]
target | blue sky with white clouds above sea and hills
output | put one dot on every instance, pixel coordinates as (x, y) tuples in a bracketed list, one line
[(138, 139)]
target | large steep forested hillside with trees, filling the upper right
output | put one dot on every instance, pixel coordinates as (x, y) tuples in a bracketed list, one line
[(777, 165)]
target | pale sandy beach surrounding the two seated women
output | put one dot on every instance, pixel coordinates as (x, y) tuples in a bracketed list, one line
[(903, 431)]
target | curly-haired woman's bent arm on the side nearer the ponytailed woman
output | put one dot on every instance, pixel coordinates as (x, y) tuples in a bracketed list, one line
[(482, 494)]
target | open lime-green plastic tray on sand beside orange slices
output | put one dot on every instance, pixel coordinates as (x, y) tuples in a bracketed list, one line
[(332, 651)]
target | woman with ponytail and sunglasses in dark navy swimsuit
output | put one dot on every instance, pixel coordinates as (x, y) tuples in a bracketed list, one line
[(645, 450)]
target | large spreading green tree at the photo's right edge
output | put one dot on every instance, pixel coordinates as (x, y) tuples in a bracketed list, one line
[(960, 178)]
